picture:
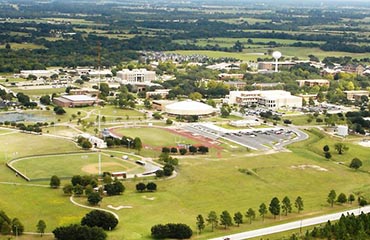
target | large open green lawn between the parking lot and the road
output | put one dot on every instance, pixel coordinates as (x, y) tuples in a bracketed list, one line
[(204, 185)]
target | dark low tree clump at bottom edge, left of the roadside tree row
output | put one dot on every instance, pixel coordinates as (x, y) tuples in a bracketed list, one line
[(171, 230)]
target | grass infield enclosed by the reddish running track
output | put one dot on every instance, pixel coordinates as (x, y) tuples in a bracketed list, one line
[(156, 137)]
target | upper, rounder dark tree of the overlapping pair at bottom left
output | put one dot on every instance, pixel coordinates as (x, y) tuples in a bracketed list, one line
[(98, 218)]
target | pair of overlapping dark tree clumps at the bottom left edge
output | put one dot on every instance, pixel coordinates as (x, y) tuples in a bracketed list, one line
[(92, 227)]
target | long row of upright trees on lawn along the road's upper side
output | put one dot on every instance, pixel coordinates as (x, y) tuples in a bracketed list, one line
[(225, 219)]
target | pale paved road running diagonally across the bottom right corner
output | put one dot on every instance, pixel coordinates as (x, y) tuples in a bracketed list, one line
[(292, 225)]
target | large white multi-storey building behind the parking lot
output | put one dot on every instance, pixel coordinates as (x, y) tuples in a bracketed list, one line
[(273, 99)]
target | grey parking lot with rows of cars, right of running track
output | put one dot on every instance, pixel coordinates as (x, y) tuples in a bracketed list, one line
[(256, 139)]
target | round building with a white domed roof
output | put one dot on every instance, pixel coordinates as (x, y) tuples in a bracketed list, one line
[(189, 108)]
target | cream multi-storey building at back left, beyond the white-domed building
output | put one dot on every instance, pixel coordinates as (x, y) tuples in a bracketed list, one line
[(136, 76)]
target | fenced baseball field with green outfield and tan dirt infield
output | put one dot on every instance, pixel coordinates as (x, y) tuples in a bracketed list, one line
[(67, 165)]
